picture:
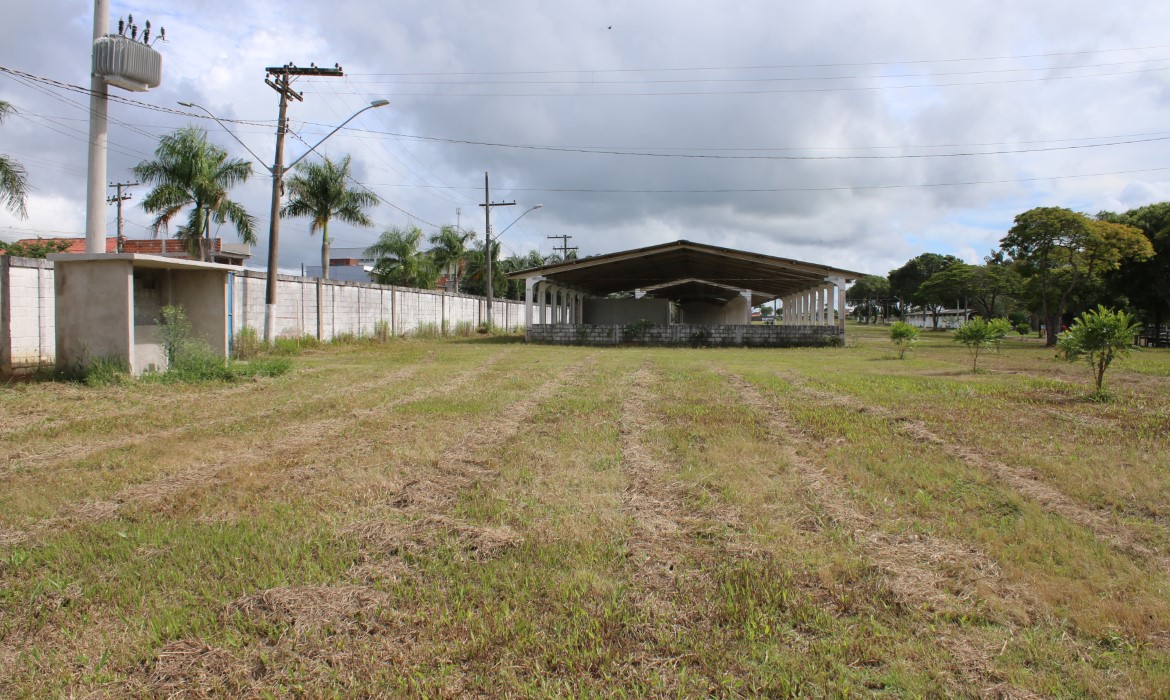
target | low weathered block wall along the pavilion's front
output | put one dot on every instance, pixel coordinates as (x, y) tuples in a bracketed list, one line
[(686, 335)]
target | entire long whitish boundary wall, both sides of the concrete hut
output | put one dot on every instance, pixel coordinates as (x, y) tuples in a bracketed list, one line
[(27, 310)]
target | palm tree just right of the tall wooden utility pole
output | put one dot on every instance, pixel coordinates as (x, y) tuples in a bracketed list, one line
[(319, 193)]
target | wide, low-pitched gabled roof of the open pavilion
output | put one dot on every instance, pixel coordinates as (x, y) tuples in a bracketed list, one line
[(686, 271)]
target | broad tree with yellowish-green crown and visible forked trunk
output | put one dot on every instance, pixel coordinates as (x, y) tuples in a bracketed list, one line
[(1061, 251)]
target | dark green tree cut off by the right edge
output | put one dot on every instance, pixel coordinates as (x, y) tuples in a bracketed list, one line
[(1146, 284)]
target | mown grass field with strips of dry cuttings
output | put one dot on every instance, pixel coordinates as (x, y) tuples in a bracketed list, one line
[(486, 518)]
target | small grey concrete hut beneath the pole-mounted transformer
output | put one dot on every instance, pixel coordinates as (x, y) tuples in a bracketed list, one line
[(108, 306)]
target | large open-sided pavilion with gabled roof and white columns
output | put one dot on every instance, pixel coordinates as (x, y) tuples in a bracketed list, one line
[(684, 294)]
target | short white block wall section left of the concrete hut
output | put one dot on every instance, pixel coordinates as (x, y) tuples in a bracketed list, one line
[(27, 315)]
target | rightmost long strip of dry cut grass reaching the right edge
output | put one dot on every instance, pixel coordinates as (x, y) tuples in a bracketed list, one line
[(1026, 482)]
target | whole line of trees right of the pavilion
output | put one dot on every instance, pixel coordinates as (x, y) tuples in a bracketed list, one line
[(1051, 266)]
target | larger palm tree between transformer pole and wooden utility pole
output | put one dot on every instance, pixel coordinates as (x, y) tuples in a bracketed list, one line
[(191, 171)]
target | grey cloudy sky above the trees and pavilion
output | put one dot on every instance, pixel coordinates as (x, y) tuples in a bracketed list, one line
[(856, 134)]
